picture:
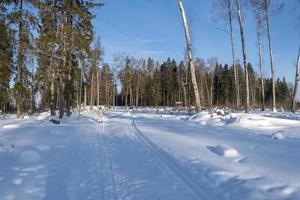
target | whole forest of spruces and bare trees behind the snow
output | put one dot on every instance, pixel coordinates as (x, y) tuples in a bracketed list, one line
[(50, 59)]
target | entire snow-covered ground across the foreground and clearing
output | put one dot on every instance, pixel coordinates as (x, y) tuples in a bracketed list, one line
[(151, 154)]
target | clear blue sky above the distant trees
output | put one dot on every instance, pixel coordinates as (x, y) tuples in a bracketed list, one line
[(153, 28)]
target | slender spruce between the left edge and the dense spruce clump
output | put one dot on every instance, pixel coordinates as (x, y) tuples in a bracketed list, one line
[(25, 21)]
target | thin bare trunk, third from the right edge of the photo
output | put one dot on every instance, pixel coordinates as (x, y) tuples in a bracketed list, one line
[(260, 63)]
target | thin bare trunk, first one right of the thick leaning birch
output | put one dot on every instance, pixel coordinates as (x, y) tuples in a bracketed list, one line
[(236, 80)]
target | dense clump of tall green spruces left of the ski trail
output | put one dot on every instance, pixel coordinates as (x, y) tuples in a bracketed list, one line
[(65, 36)]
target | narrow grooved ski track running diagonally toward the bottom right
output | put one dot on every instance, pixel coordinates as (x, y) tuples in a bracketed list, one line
[(169, 162)]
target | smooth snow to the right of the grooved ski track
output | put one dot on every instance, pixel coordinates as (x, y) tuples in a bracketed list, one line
[(264, 168)]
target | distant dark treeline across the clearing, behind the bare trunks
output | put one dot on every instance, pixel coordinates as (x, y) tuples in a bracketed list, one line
[(148, 83)]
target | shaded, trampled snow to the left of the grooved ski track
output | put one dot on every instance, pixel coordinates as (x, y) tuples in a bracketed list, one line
[(80, 159)]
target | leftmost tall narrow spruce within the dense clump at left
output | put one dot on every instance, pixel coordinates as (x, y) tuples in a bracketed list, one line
[(47, 54)]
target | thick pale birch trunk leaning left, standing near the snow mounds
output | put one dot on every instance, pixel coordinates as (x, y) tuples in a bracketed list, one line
[(190, 55)]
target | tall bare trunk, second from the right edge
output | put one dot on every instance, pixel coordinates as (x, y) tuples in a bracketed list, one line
[(271, 54)]
